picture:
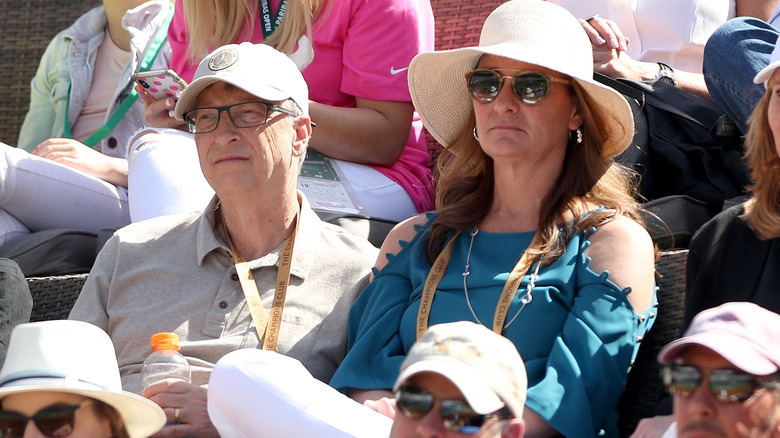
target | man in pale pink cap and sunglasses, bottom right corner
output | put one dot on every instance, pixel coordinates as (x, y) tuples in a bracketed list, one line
[(724, 373)]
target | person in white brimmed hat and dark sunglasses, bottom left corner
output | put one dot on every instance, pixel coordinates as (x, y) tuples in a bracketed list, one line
[(61, 377)]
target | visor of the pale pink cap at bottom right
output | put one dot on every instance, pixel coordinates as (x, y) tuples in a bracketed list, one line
[(742, 354)]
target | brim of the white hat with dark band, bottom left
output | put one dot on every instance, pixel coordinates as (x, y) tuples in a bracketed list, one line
[(141, 416)]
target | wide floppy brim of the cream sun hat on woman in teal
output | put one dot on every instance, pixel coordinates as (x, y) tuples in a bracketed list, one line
[(438, 88)]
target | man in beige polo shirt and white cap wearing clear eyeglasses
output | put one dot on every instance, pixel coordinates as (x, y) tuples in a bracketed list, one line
[(256, 269)]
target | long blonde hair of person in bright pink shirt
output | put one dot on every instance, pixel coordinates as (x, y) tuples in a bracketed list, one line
[(213, 23)]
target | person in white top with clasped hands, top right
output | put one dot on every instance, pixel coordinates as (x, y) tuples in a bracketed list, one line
[(658, 39)]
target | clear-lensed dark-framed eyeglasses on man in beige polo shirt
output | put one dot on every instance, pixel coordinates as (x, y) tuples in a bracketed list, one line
[(243, 115)]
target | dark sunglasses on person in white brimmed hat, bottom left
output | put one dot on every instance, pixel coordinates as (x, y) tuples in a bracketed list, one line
[(53, 421)]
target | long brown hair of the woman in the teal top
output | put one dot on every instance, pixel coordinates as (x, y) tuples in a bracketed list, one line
[(465, 186)]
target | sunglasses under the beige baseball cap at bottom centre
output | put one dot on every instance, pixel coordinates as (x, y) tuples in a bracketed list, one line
[(456, 415)]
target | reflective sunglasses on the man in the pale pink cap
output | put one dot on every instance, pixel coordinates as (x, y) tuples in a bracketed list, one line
[(725, 385)]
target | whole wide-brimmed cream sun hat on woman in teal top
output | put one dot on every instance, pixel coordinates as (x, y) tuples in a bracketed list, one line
[(532, 31)]
